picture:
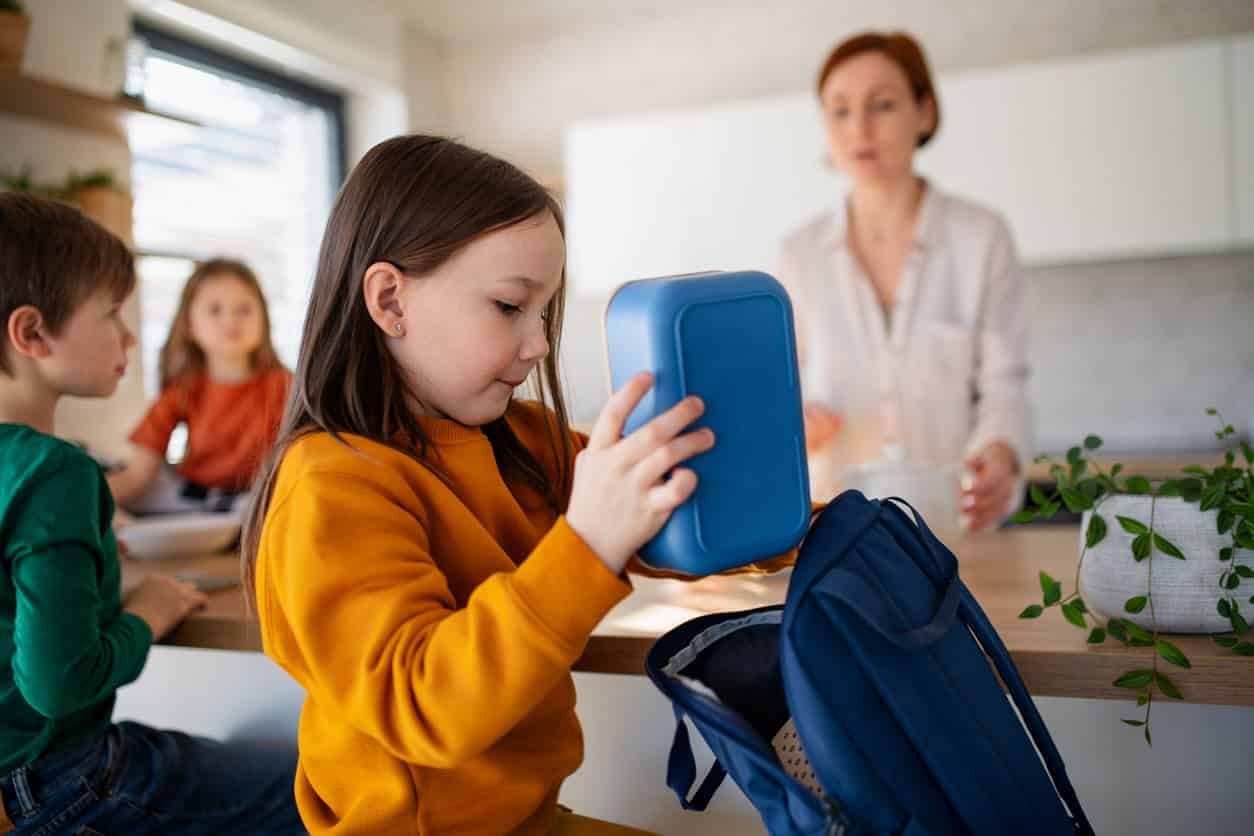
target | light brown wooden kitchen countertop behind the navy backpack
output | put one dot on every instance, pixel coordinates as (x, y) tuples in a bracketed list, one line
[(1000, 568)]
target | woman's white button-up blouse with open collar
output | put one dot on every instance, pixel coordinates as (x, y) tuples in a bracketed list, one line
[(946, 373)]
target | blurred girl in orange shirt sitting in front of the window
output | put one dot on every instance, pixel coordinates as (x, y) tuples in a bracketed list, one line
[(221, 377)]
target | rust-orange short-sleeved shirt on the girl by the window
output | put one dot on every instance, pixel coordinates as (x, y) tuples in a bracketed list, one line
[(230, 427)]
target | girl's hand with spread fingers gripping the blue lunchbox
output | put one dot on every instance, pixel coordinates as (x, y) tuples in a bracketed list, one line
[(621, 497)]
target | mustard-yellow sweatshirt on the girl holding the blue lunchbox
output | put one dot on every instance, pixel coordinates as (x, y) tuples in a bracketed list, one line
[(433, 627)]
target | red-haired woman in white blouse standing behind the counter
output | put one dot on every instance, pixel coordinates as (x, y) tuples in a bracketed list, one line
[(909, 301)]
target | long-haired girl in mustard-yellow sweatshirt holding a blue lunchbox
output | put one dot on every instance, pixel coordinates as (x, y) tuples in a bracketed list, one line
[(429, 556)]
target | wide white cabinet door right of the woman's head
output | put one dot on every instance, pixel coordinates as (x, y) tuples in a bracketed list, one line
[(1102, 157)]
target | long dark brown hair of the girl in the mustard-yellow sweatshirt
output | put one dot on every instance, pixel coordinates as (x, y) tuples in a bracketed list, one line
[(413, 202)]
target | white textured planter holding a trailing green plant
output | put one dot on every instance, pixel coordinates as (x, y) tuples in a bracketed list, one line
[(1184, 592)]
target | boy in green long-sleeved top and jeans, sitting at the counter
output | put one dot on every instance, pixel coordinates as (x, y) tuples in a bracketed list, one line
[(67, 640)]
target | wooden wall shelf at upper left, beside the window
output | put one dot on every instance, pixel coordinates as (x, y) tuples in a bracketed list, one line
[(41, 100)]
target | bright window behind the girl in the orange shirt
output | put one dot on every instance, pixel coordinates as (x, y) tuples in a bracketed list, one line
[(255, 180)]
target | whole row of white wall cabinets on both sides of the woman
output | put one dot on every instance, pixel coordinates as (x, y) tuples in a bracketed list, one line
[(1113, 156)]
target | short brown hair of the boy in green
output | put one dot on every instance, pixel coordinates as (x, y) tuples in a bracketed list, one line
[(53, 258)]
